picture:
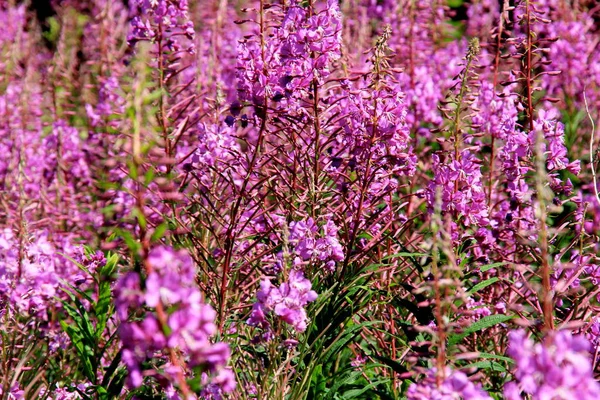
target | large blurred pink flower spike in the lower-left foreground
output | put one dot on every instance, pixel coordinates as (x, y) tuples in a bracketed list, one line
[(181, 321)]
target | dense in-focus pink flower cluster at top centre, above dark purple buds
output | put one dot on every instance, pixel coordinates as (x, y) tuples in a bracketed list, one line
[(301, 50)]
